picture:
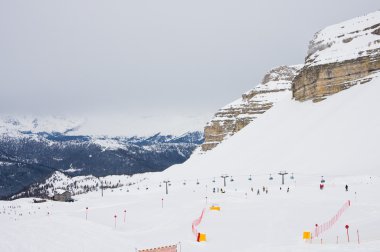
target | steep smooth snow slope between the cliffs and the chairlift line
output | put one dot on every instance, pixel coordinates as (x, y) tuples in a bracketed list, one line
[(337, 137)]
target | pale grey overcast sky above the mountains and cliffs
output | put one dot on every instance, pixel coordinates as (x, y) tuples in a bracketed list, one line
[(151, 58)]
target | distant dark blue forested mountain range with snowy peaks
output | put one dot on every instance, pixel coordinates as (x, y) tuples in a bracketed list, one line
[(33, 149)]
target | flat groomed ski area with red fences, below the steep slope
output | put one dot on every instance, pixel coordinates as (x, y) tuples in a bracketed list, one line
[(272, 221)]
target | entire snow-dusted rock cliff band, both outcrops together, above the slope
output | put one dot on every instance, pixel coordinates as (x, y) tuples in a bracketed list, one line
[(339, 57)]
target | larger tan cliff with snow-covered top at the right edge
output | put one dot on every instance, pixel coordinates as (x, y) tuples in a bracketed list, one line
[(339, 57)]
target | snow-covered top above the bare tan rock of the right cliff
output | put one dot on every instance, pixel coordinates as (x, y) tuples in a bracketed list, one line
[(347, 40)]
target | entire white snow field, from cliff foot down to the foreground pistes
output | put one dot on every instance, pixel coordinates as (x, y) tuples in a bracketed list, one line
[(337, 138)]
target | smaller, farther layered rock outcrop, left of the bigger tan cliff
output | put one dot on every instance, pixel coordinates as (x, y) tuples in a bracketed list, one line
[(236, 115)]
